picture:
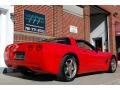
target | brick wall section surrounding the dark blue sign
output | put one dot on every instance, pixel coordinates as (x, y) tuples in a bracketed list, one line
[(19, 22)]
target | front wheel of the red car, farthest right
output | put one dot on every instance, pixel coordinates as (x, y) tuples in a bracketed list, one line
[(112, 65)]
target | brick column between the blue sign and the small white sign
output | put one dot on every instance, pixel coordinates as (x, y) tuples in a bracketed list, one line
[(57, 21)]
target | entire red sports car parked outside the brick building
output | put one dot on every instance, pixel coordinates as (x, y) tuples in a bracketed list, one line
[(64, 57)]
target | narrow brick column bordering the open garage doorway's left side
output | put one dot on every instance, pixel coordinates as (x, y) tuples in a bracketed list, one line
[(87, 23)]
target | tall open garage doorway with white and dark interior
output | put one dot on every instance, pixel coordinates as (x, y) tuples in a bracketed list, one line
[(98, 28)]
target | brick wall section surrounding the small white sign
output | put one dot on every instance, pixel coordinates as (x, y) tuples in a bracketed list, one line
[(70, 19)]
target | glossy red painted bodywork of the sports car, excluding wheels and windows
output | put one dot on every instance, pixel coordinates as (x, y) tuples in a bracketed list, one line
[(47, 57)]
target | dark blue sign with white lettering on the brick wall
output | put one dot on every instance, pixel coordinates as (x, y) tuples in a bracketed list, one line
[(34, 22)]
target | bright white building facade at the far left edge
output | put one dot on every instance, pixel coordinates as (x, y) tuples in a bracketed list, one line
[(6, 30)]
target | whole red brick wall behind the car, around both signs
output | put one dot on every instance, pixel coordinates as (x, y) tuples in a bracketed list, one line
[(57, 23)]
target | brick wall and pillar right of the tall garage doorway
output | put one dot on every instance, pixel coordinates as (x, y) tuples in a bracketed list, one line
[(113, 17)]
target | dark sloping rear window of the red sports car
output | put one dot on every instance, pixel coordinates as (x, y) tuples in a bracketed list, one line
[(58, 40)]
